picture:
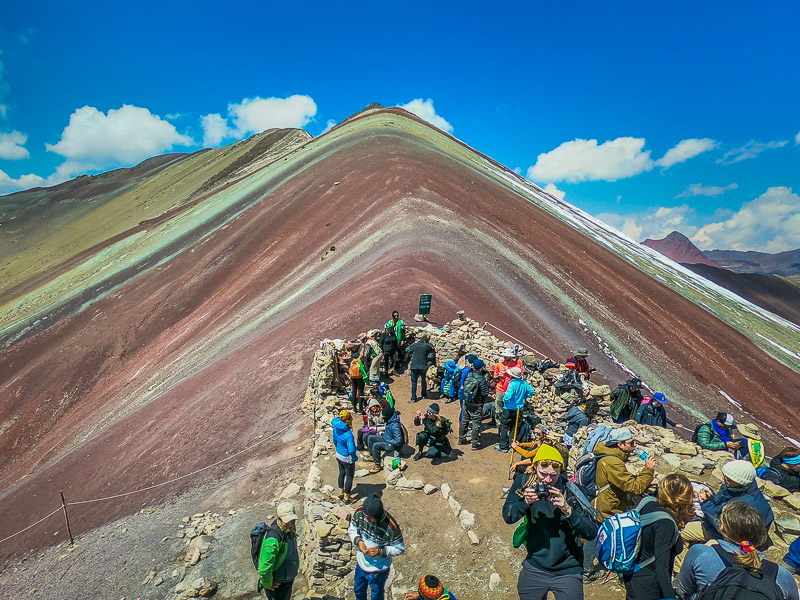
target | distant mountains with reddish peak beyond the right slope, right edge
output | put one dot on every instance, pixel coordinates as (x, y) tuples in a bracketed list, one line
[(771, 281)]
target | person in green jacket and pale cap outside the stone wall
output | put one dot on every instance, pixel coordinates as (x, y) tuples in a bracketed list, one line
[(279, 561)]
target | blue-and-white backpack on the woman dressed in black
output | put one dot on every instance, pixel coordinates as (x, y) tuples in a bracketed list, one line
[(619, 538)]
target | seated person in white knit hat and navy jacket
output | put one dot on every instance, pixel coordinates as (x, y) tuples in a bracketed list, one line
[(739, 484)]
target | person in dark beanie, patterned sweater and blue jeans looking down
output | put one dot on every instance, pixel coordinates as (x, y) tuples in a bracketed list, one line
[(377, 538)]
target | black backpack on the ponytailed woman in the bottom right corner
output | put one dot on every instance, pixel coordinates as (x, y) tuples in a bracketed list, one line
[(735, 582)]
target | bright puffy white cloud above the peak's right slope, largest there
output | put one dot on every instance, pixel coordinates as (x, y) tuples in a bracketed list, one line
[(585, 160)]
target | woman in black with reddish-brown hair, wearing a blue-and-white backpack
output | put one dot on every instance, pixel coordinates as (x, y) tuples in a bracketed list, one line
[(661, 541)]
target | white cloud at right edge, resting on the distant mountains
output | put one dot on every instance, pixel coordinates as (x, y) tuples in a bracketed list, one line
[(770, 223)]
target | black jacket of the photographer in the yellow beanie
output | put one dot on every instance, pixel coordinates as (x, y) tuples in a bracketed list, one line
[(553, 540)]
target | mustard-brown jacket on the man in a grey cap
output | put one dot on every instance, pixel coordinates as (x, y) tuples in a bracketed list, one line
[(611, 472)]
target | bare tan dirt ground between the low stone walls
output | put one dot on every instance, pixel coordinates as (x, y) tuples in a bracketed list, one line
[(435, 541)]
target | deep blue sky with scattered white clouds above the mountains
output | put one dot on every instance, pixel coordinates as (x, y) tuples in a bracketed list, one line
[(653, 117)]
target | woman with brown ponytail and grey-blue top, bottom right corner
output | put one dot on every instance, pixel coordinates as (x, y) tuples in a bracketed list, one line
[(743, 531)]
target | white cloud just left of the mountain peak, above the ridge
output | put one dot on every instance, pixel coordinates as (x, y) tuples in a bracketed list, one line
[(254, 115)]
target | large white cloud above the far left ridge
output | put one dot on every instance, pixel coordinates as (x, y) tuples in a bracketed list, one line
[(125, 136)]
